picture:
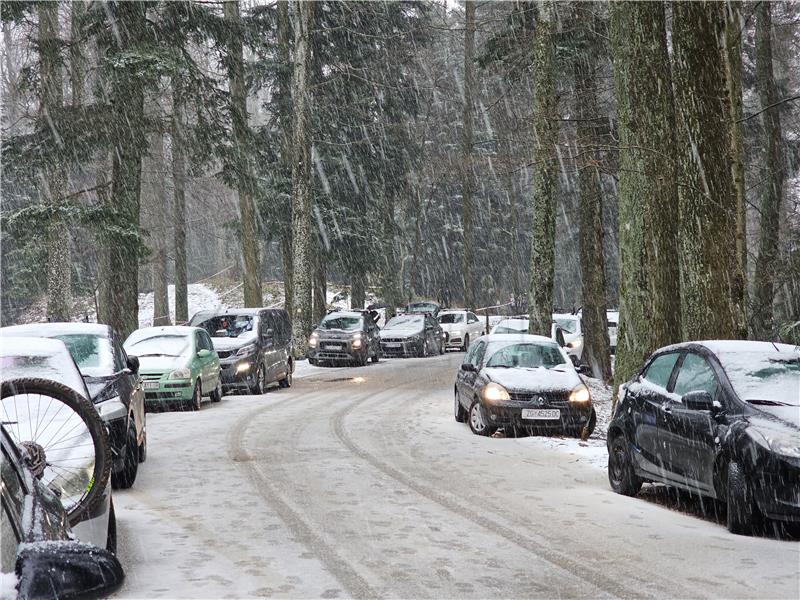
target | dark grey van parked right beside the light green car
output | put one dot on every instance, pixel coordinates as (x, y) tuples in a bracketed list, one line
[(254, 346)]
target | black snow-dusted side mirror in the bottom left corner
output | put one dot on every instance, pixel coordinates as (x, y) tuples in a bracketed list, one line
[(67, 570)]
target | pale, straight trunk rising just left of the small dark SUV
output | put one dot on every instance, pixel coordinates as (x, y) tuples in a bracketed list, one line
[(301, 178)]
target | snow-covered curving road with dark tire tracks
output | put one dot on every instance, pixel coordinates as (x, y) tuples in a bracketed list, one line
[(358, 482)]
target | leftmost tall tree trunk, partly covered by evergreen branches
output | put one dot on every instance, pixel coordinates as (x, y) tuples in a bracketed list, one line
[(53, 180)]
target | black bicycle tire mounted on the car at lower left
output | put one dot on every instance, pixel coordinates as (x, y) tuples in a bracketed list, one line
[(86, 411)]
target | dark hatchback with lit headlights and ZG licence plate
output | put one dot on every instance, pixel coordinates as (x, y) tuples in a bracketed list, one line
[(521, 381)]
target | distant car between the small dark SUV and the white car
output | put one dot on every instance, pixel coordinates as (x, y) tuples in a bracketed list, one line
[(414, 334)]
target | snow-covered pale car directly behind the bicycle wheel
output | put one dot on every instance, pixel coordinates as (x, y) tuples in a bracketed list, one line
[(45, 403)]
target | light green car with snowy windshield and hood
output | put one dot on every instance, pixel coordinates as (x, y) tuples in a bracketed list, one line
[(178, 365)]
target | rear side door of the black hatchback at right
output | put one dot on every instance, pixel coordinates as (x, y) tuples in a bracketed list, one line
[(645, 398)]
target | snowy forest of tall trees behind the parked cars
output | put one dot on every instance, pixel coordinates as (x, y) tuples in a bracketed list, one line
[(640, 156)]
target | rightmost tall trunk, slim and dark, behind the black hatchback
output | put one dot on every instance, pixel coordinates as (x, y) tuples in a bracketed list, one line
[(768, 237)]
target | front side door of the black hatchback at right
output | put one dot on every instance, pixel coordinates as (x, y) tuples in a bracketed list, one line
[(686, 436)]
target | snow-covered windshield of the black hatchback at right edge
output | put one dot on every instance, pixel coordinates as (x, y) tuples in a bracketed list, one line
[(759, 376)]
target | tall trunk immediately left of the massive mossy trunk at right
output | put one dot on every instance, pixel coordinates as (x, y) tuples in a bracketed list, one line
[(596, 346)]
